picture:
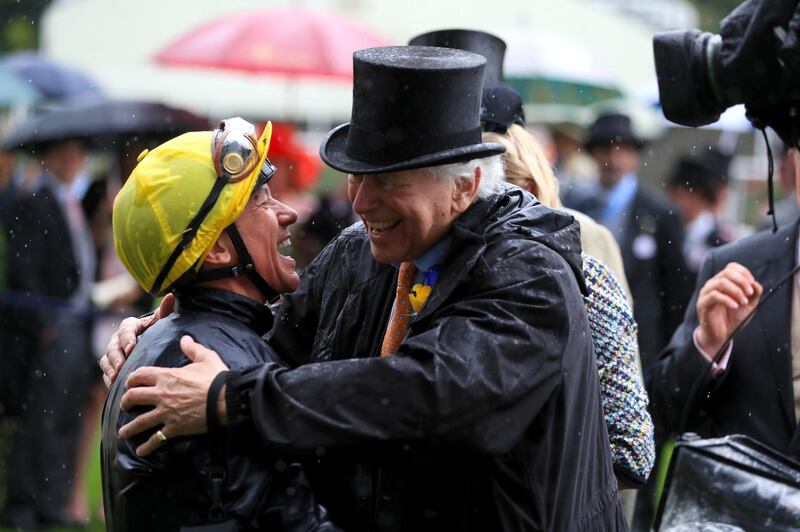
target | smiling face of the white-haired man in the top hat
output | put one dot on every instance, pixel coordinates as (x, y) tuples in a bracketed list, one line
[(405, 213)]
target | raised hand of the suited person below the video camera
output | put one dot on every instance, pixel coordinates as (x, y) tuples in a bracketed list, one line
[(723, 303)]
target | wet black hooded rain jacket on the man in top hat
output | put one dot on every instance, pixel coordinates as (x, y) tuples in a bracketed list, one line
[(488, 418)]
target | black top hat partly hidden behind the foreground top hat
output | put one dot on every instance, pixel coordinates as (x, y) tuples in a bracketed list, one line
[(491, 47)]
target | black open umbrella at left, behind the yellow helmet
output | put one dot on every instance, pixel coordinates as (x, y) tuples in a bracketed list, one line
[(101, 119)]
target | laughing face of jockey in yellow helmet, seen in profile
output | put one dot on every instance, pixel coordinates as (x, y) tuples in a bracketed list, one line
[(264, 226)]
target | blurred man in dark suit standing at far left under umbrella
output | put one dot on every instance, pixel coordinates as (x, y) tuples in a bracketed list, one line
[(51, 270)]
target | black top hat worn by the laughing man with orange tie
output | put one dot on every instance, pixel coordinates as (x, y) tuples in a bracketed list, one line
[(413, 107)]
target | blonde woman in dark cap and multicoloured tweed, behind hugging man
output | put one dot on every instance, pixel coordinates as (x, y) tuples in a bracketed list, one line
[(613, 329)]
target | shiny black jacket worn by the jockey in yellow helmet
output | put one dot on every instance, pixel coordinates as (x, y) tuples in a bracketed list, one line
[(170, 488)]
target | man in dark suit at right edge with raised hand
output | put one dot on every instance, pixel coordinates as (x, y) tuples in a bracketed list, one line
[(754, 388)]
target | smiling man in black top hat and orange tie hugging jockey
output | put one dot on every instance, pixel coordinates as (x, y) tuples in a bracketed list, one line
[(441, 372)]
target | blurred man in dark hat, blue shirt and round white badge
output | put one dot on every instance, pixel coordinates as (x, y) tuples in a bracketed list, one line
[(648, 230)]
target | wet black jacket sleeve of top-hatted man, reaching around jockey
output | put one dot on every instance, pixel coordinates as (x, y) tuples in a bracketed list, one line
[(475, 378)]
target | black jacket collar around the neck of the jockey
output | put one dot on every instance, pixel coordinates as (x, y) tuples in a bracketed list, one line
[(257, 316)]
